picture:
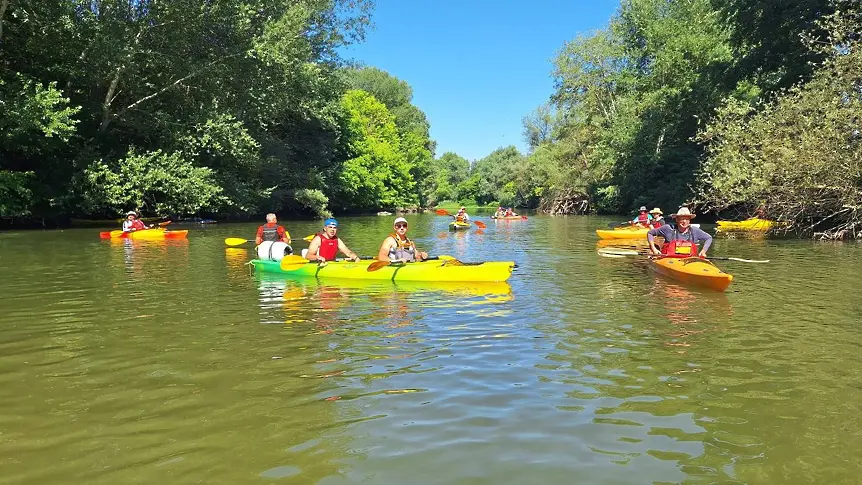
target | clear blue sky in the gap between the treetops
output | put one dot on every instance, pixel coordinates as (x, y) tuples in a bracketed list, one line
[(476, 66)]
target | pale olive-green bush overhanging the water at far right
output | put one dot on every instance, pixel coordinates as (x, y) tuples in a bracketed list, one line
[(798, 158)]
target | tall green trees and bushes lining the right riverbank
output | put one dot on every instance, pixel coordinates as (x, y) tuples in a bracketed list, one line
[(733, 106)]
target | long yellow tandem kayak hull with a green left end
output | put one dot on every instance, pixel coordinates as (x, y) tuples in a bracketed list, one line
[(440, 270)]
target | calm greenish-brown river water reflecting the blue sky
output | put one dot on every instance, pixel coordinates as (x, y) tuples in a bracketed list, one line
[(168, 362)]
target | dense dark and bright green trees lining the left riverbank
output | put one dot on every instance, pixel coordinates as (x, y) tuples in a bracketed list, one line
[(178, 107)]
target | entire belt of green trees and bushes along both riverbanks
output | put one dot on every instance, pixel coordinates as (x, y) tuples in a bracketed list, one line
[(734, 106)]
